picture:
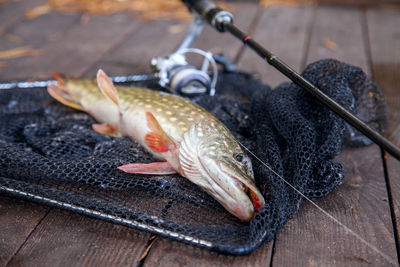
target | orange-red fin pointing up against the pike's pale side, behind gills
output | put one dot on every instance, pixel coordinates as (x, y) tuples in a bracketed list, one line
[(157, 139)]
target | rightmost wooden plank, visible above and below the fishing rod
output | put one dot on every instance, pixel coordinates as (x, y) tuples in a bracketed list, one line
[(384, 41)]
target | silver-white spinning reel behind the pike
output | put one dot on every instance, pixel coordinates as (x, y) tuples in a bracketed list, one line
[(179, 77)]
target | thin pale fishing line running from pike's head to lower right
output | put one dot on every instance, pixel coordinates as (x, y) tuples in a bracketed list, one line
[(371, 246)]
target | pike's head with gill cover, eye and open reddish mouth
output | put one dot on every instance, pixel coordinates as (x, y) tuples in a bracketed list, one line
[(212, 158)]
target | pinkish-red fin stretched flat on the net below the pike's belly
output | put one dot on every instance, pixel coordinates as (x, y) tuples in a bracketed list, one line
[(160, 168)]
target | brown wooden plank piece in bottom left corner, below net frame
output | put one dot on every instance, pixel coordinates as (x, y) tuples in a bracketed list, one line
[(17, 219)]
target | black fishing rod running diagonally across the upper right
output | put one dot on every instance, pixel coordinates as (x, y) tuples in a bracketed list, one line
[(222, 21)]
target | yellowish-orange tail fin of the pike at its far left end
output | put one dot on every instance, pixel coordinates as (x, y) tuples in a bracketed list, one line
[(62, 93)]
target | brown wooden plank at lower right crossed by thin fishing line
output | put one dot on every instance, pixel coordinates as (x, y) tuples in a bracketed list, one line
[(312, 239)]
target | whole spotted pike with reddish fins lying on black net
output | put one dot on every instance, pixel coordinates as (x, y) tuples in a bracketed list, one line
[(185, 137)]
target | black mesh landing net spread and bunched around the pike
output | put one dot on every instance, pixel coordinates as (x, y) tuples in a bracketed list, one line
[(50, 154)]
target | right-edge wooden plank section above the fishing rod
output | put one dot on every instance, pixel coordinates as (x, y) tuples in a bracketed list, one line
[(384, 38)]
